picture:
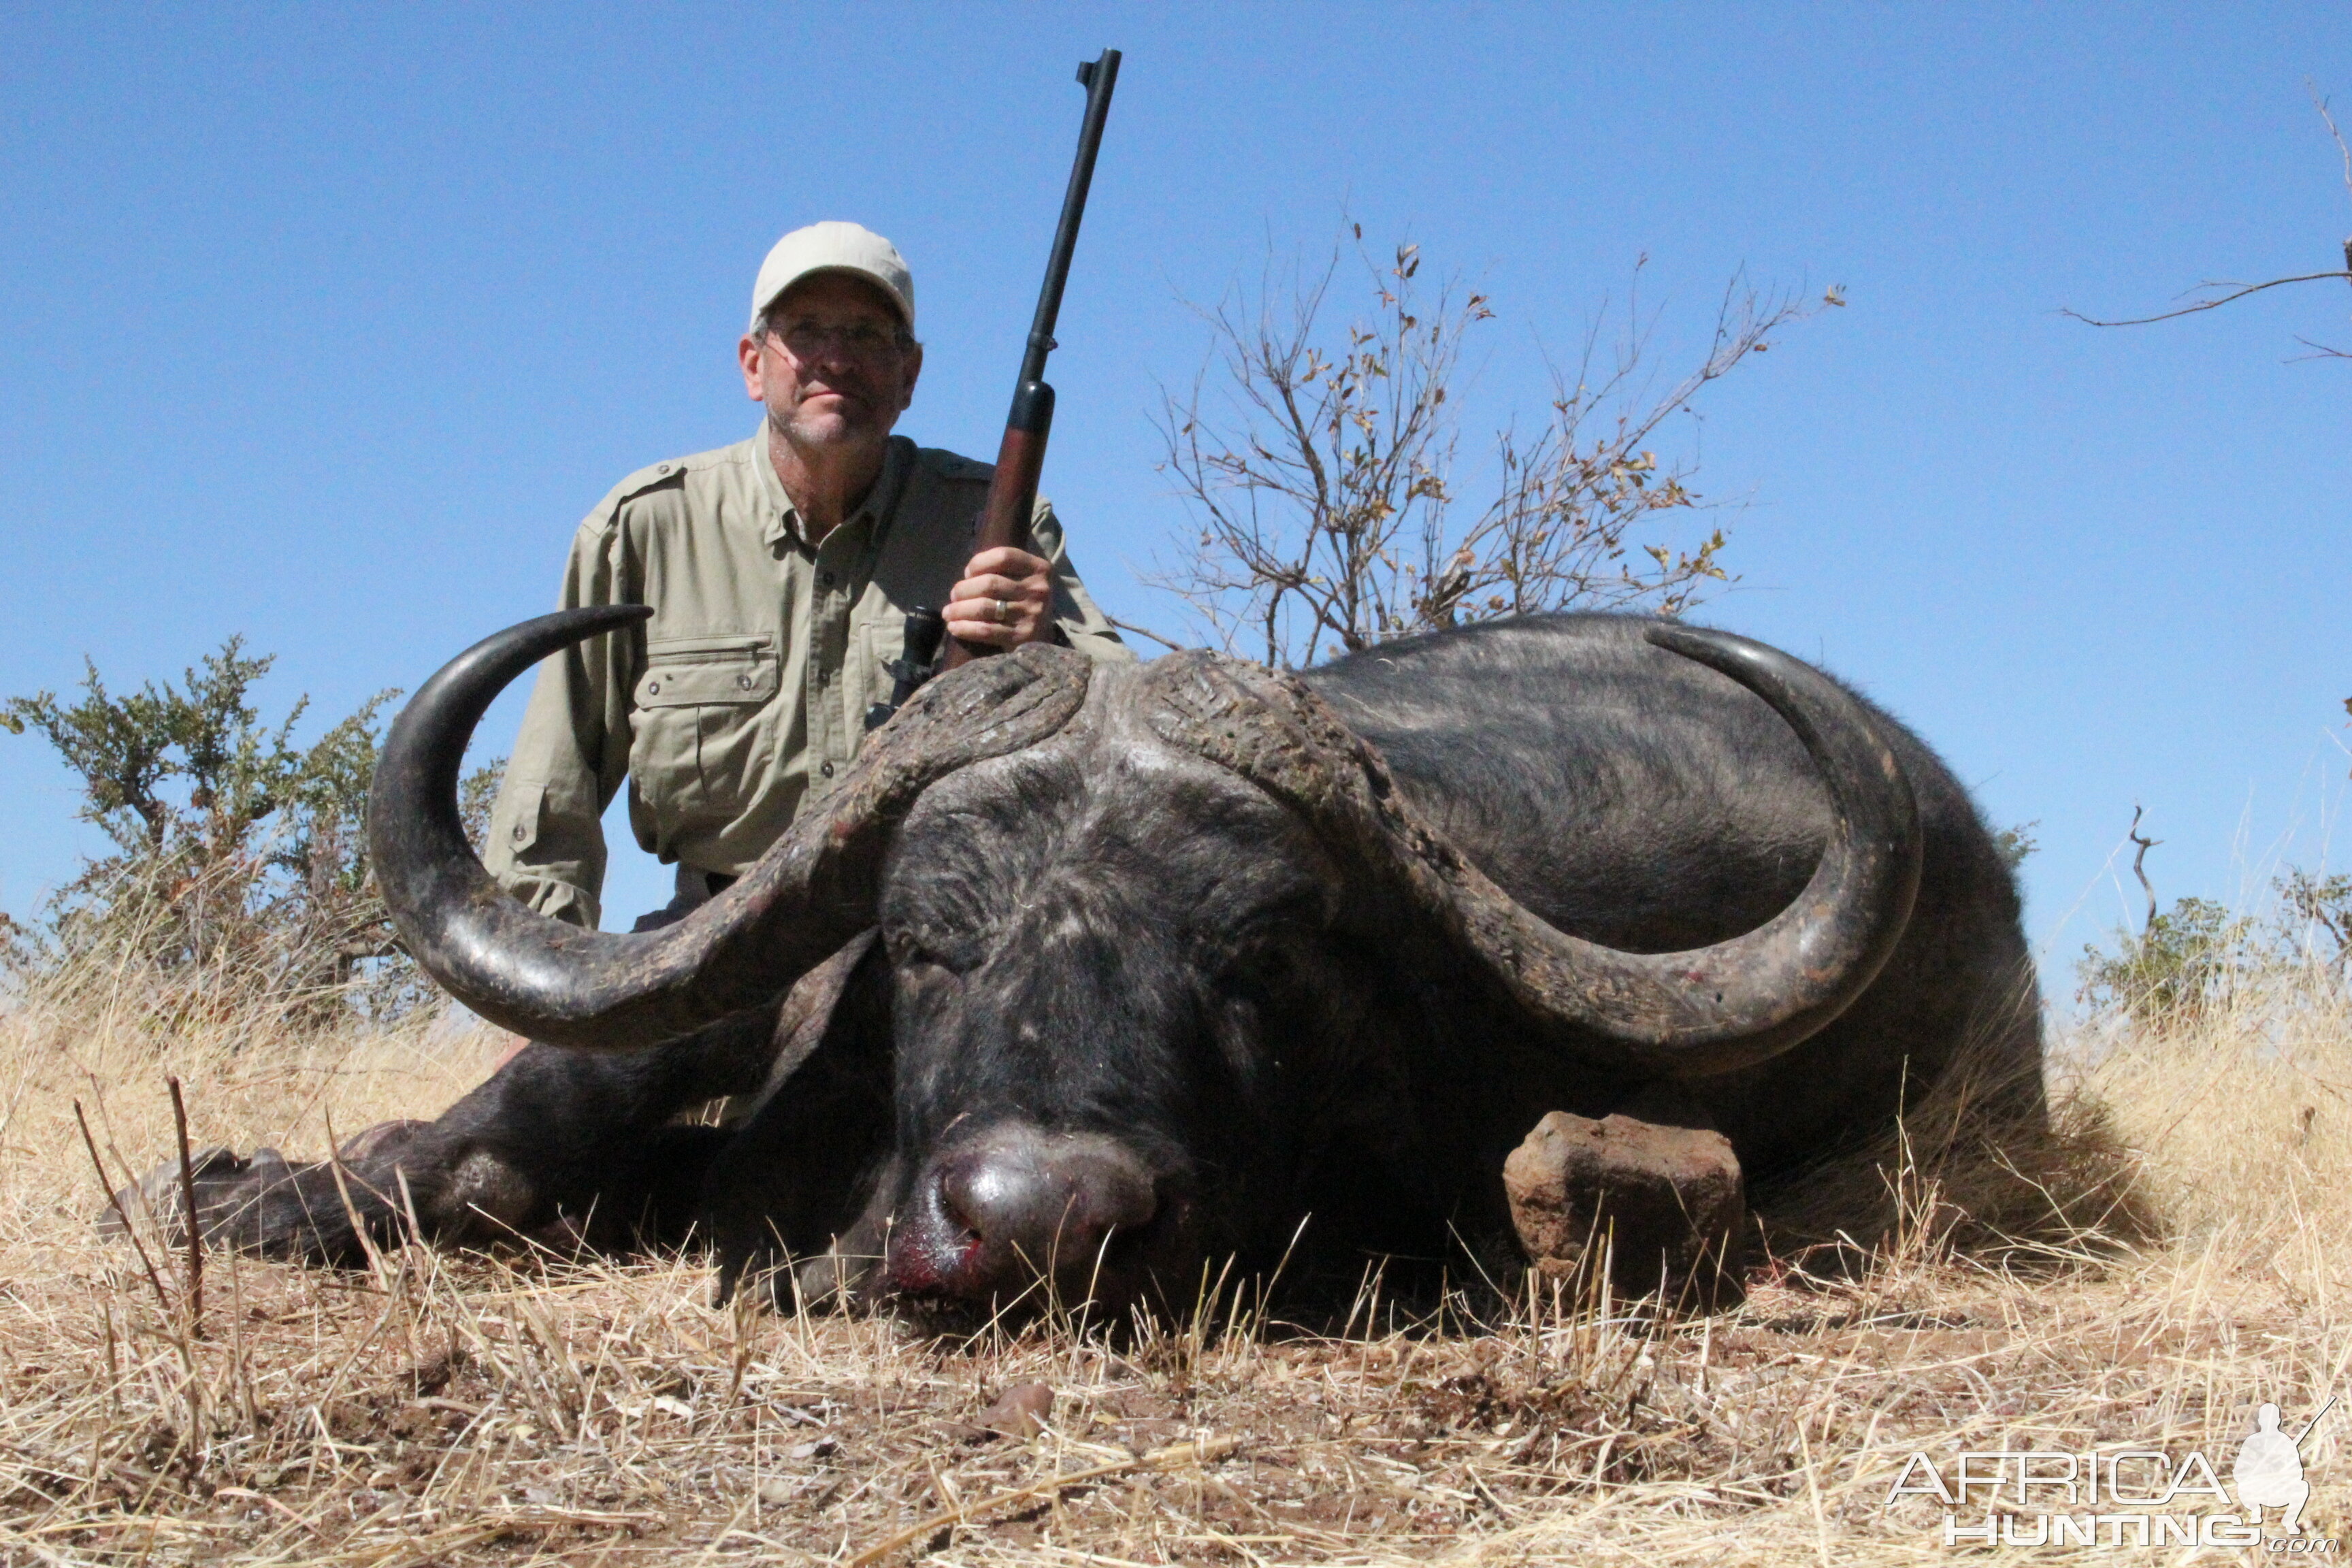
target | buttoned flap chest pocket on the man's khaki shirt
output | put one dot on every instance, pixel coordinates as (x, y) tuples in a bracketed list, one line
[(704, 725)]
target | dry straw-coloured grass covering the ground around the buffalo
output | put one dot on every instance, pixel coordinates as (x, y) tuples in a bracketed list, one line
[(2174, 1254)]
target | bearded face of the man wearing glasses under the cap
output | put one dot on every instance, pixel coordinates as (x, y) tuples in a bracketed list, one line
[(831, 368)]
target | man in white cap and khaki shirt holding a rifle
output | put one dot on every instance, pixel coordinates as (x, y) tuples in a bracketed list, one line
[(780, 572)]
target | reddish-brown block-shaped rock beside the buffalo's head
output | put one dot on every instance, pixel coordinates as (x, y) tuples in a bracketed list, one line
[(1664, 1205)]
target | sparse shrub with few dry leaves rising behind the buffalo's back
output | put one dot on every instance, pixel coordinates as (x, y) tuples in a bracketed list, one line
[(1321, 467)]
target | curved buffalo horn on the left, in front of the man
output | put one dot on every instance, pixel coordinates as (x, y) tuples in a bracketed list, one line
[(810, 894)]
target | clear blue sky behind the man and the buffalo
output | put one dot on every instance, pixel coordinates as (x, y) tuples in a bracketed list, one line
[(328, 326)]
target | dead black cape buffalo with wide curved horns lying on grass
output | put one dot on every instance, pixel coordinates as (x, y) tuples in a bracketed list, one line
[(1097, 974)]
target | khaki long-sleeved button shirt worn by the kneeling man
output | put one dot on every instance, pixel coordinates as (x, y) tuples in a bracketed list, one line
[(747, 695)]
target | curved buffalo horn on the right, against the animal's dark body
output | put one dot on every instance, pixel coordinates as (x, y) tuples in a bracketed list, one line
[(1685, 1014)]
